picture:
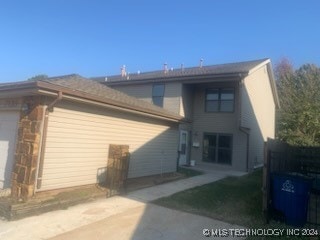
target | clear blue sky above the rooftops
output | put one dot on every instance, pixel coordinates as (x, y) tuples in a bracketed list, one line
[(96, 37)]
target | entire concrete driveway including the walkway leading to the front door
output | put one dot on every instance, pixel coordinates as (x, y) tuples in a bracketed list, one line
[(121, 217)]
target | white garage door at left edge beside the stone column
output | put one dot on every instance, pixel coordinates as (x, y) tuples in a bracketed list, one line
[(8, 133)]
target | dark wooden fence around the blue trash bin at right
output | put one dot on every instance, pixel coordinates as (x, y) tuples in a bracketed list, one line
[(281, 157)]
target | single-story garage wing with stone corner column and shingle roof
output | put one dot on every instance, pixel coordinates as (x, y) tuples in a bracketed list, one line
[(56, 133)]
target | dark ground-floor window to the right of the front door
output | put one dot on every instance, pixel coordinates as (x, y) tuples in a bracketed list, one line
[(217, 148)]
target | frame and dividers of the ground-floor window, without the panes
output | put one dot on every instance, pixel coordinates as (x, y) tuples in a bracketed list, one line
[(217, 135)]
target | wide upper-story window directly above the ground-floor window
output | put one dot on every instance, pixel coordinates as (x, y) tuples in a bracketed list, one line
[(220, 100)]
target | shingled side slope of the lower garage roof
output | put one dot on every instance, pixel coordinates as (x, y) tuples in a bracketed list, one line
[(78, 84)]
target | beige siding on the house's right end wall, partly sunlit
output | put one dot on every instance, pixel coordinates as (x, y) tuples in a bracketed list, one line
[(258, 112)]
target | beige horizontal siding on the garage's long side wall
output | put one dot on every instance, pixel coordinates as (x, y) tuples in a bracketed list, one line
[(78, 141)]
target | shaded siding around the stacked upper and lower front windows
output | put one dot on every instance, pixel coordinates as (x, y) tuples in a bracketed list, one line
[(224, 123)]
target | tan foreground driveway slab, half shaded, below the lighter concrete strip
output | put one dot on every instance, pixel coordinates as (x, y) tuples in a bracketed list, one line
[(148, 222)]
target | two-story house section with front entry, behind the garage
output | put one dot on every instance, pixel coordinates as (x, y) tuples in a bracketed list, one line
[(230, 108)]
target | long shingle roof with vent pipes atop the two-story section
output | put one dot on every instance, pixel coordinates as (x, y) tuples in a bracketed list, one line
[(221, 69)]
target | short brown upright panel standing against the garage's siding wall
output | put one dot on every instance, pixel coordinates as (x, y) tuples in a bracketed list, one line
[(117, 169)]
